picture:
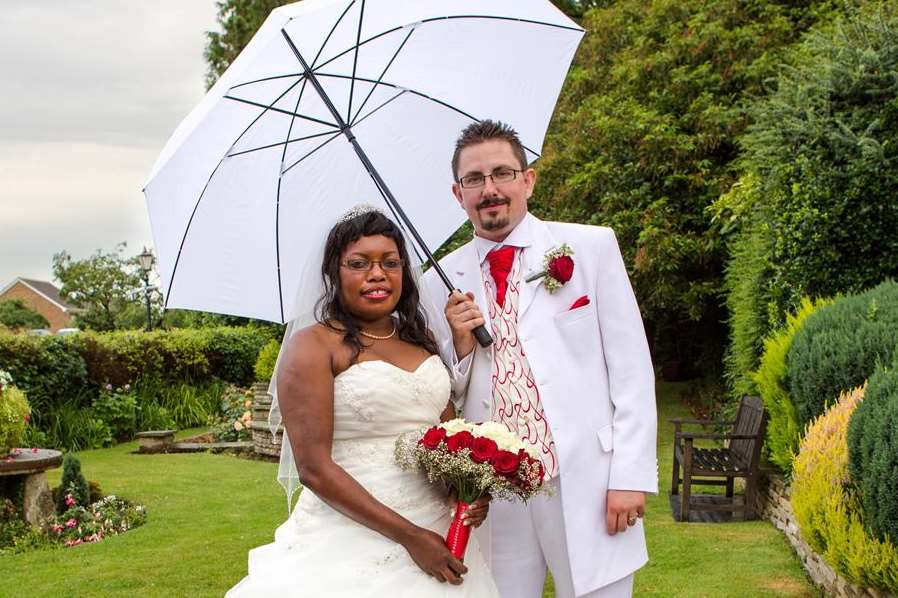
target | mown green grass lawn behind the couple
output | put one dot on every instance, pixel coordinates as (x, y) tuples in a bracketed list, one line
[(206, 511)]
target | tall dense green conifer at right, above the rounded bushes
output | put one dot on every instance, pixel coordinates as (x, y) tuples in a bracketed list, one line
[(816, 213)]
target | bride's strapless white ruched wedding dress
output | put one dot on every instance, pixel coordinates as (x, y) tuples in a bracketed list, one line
[(320, 552)]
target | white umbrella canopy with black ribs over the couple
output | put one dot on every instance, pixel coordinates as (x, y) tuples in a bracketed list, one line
[(245, 191)]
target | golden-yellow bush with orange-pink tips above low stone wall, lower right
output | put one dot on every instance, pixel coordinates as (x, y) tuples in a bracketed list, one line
[(827, 508)]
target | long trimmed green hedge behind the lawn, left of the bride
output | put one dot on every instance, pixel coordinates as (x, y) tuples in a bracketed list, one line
[(177, 375)]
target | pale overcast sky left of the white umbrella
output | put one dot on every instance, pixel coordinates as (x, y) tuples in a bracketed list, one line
[(89, 93)]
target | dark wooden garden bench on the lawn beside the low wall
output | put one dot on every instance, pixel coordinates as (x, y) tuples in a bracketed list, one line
[(738, 458)]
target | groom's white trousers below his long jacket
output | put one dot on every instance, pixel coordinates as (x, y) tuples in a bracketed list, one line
[(526, 540)]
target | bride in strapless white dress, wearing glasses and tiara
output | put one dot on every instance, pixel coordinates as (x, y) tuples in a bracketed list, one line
[(347, 387)]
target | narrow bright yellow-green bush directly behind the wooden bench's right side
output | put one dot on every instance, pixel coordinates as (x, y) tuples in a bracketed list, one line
[(783, 430)]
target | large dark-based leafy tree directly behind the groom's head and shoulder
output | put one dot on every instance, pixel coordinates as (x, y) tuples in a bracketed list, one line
[(644, 140)]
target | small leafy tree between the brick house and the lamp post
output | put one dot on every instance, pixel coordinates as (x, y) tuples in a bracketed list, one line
[(104, 285)]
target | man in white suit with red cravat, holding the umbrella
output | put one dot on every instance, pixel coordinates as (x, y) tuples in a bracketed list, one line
[(569, 371)]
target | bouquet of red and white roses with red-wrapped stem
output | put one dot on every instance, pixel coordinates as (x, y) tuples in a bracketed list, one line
[(474, 460)]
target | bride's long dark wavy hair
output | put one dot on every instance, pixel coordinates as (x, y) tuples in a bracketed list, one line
[(330, 311)]
